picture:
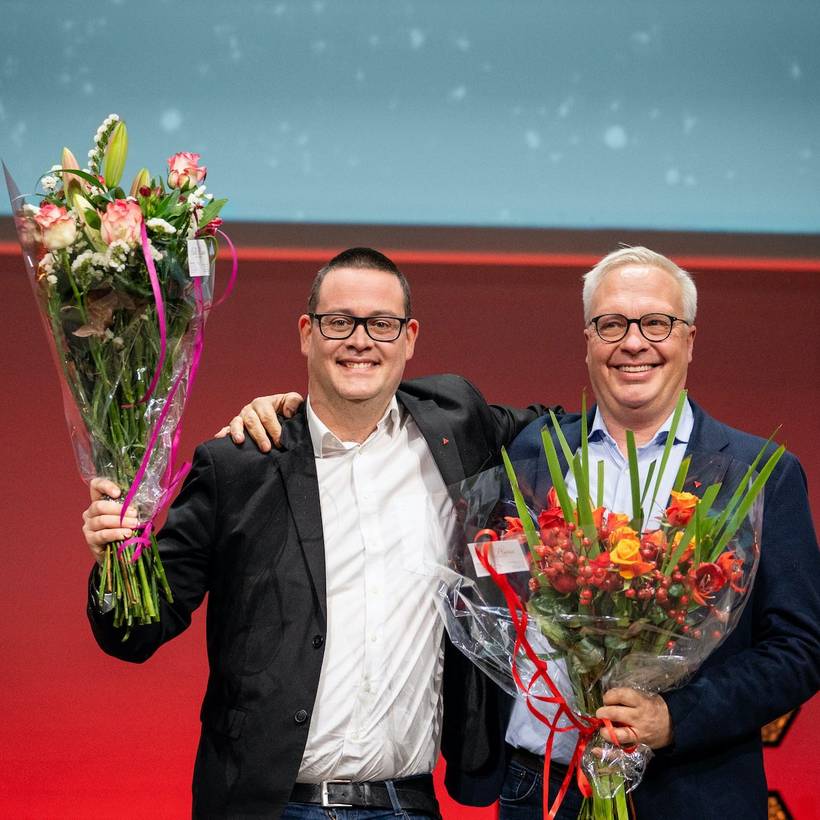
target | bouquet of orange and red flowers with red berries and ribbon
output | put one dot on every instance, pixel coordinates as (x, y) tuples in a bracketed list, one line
[(590, 599)]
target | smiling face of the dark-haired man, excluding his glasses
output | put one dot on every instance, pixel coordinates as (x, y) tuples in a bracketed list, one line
[(356, 375)]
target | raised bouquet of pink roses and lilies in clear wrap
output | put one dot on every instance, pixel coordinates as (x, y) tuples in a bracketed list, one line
[(123, 283)]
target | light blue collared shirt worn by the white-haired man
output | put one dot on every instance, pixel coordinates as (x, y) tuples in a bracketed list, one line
[(524, 730)]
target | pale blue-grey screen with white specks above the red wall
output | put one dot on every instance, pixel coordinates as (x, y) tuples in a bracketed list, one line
[(577, 114)]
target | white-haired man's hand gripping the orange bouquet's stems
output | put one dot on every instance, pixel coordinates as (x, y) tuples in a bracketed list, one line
[(645, 718)]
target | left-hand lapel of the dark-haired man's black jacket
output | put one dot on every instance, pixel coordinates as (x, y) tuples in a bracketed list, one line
[(298, 468)]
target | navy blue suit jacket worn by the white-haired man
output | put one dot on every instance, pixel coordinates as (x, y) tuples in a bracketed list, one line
[(767, 666)]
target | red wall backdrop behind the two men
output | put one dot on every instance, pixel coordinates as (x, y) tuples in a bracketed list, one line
[(84, 735)]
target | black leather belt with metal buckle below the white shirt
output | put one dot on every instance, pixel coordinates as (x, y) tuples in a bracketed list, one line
[(415, 794)]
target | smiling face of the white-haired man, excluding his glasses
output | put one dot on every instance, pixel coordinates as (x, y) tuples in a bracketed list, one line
[(636, 381)]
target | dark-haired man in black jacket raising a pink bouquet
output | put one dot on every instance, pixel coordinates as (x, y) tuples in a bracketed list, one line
[(324, 689)]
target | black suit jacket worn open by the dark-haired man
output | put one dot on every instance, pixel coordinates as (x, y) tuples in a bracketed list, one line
[(247, 529)]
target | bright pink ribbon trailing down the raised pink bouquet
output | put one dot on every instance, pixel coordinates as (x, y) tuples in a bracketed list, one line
[(171, 479)]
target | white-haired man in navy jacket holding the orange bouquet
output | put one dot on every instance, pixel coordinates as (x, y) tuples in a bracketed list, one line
[(639, 313)]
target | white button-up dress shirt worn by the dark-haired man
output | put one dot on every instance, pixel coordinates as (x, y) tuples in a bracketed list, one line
[(377, 713)]
